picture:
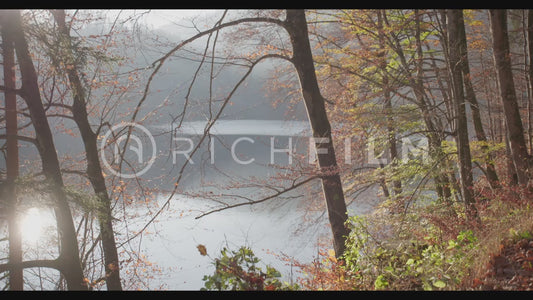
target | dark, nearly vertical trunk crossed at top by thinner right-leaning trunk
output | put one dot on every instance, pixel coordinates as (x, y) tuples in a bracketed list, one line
[(454, 17)]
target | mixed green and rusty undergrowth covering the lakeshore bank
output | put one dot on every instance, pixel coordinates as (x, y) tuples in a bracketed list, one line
[(428, 247)]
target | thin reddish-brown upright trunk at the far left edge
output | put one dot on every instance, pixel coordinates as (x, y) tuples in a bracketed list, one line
[(16, 282)]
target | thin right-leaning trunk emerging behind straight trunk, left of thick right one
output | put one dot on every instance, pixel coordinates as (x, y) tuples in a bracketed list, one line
[(470, 96)]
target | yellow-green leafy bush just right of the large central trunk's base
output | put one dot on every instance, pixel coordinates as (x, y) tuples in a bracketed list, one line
[(408, 263)]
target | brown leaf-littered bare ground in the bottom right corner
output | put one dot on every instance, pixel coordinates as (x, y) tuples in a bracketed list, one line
[(511, 269)]
